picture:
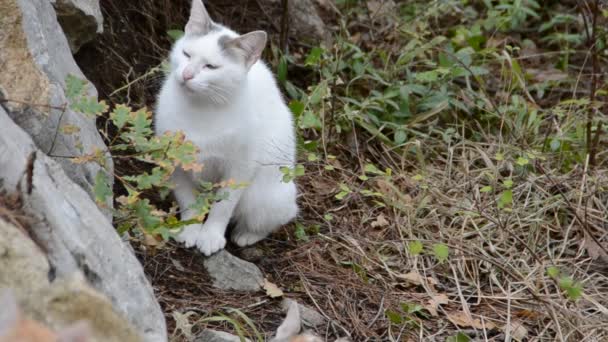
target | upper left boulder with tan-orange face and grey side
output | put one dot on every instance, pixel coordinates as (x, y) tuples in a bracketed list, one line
[(36, 60)]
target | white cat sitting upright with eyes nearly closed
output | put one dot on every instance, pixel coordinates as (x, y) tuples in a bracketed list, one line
[(223, 97)]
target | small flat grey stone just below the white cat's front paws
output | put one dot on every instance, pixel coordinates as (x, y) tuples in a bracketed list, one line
[(231, 273)]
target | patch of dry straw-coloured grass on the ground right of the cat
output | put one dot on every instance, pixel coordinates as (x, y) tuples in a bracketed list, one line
[(496, 272)]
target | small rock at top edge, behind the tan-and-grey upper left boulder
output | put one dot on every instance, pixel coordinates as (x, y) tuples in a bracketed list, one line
[(81, 20)]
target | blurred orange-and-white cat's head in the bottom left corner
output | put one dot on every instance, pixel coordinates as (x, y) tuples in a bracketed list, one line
[(16, 328)]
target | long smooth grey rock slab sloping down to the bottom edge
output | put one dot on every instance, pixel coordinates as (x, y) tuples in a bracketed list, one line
[(76, 235)]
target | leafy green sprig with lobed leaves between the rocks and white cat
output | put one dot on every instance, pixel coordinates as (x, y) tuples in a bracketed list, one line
[(135, 140)]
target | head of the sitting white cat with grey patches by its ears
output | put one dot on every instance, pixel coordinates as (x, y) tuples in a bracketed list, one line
[(211, 62)]
